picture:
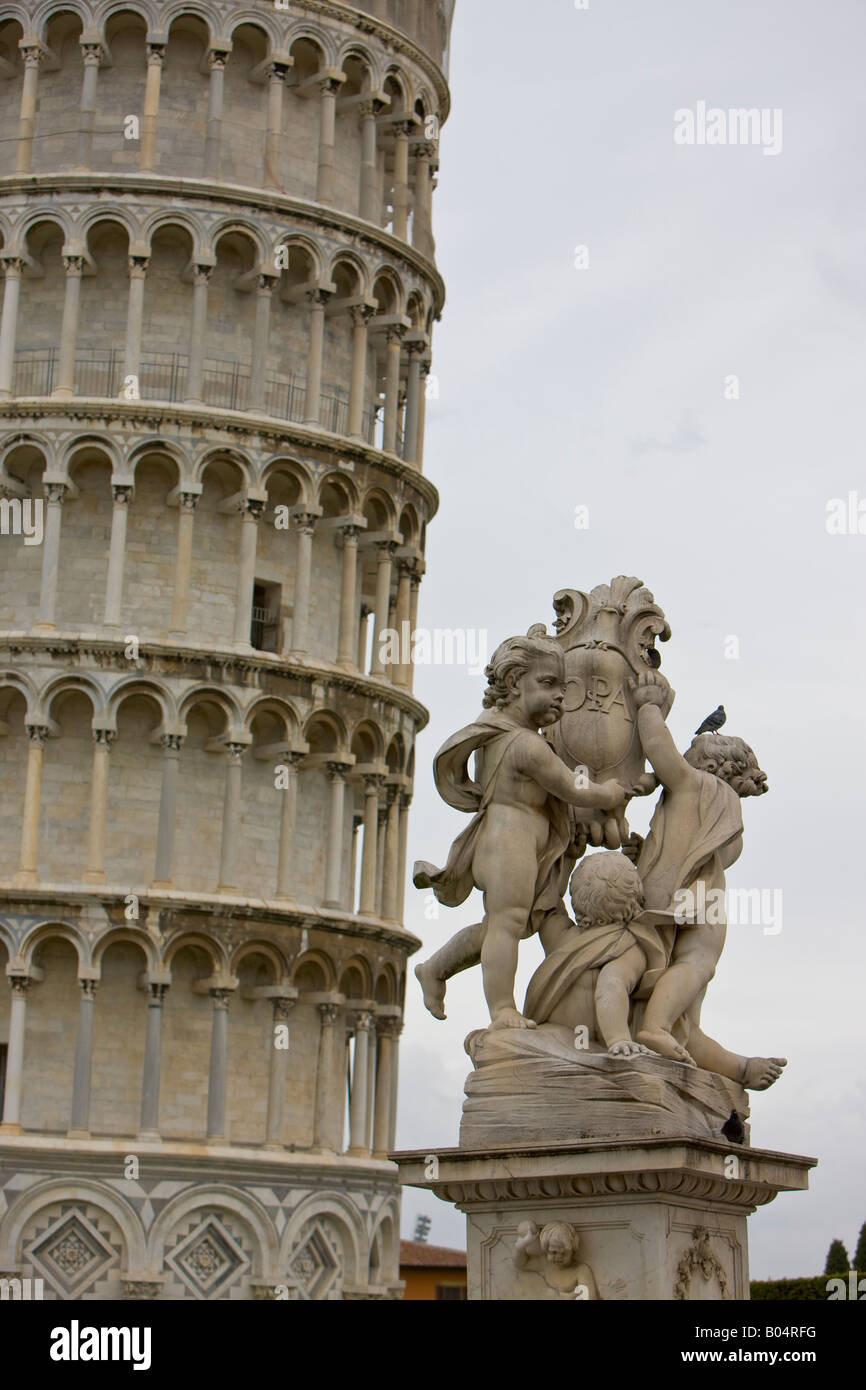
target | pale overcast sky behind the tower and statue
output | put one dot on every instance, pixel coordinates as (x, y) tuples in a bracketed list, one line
[(605, 387)]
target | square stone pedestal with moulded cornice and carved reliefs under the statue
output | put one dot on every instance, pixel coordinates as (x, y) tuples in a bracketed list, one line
[(657, 1218)]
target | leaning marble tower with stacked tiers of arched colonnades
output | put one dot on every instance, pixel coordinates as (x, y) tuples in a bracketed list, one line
[(216, 233)]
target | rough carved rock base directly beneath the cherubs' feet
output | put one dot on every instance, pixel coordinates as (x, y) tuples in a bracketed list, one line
[(530, 1082)]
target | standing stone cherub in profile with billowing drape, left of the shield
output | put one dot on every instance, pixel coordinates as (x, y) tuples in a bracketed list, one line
[(522, 826)]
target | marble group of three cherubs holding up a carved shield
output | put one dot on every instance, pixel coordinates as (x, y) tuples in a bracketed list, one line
[(569, 728)]
